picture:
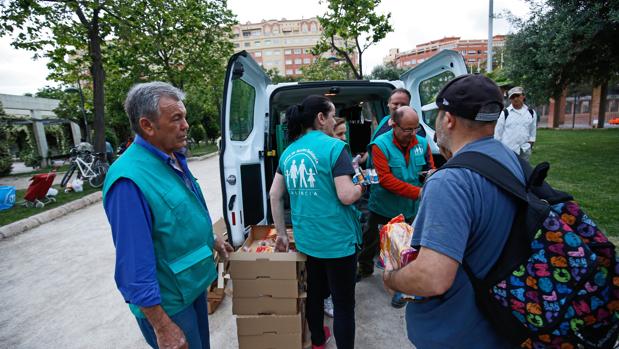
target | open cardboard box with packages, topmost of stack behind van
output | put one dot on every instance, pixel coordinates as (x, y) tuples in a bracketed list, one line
[(276, 265)]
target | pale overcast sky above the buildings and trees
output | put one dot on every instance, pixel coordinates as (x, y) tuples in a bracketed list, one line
[(414, 22)]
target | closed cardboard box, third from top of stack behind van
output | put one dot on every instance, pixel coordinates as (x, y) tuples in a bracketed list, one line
[(266, 305)]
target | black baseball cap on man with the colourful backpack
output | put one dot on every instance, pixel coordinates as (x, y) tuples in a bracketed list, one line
[(471, 96)]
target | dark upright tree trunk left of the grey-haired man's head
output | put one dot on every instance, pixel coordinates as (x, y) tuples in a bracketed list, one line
[(98, 78)]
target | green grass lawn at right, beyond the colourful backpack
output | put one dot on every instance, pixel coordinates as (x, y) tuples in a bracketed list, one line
[(584, 163)]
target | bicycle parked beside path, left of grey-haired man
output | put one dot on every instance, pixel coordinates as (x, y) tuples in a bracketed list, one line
[(89, 166)]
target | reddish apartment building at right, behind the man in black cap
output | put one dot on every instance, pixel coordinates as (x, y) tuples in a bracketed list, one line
[(475, 52)]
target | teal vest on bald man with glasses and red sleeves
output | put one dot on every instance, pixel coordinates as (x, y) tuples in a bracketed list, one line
[(386, 203)]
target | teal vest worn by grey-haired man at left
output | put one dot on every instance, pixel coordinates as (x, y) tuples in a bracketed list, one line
[(181, 227)]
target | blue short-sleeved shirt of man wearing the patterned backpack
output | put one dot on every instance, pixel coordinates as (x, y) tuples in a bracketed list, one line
[(465, 217)]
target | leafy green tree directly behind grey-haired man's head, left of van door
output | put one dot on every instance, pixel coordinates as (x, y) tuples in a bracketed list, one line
[(186, 43)]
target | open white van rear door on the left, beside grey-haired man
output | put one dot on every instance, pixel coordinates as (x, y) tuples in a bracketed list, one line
[(244, 120)]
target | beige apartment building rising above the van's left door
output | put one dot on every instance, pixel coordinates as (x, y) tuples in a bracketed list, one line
[(282, 44)]
